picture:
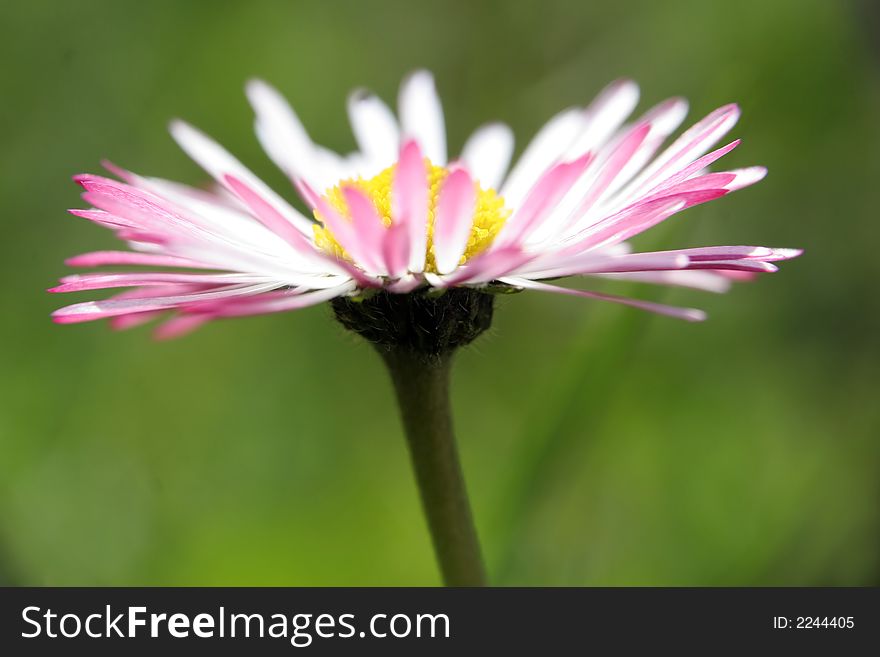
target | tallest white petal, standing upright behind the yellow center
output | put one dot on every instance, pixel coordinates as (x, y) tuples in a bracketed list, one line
[(421, 115)]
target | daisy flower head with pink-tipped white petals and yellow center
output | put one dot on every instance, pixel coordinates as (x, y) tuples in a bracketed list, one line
[(397, 218)]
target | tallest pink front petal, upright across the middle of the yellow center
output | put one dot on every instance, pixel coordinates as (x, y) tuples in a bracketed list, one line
[(410, 202)]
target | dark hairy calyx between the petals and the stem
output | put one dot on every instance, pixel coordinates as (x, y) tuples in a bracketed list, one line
[(429, 325)]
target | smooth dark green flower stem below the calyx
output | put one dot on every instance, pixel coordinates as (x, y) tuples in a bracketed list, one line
[(422, 388)]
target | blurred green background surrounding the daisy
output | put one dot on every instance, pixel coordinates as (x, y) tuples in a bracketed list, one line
[(602, 446)]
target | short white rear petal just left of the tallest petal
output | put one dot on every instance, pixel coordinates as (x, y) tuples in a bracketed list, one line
[(375, 128)]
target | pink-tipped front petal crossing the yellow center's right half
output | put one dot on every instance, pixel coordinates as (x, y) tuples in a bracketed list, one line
[(453, 220)]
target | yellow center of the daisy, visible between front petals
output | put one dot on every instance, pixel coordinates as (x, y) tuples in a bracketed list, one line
[(489, 212)]
